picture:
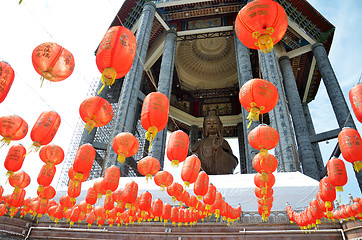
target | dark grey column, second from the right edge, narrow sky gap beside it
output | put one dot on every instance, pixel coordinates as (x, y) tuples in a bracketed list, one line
[(305, 150)]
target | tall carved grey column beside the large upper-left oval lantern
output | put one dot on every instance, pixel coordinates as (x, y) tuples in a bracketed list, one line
[(125, 114)]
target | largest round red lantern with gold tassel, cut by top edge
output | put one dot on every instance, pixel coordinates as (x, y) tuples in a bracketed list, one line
[(261, 24)]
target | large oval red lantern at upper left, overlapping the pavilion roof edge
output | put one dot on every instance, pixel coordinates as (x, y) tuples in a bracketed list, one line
[(115, 54)]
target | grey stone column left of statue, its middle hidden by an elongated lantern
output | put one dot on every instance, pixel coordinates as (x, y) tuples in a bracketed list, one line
[(164, 86)]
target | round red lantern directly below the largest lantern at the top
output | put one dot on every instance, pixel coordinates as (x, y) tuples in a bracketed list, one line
[(258, 96)]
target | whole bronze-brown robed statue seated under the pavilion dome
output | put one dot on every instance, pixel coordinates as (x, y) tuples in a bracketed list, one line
[(214, 152)]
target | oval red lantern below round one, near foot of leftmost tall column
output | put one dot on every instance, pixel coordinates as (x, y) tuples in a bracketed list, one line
[(84, 159)]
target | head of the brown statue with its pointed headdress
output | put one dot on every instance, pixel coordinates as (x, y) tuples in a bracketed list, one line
[(212, 124)]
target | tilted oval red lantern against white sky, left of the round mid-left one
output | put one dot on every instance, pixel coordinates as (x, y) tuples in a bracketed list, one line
[(45, 129)]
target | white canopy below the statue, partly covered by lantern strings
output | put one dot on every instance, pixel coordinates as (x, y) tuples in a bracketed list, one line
[(292, 187)]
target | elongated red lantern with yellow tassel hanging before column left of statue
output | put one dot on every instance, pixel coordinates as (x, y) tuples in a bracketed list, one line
[(154, 114)]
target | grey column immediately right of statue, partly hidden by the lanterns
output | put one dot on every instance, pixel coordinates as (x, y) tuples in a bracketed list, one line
[(242, 54)]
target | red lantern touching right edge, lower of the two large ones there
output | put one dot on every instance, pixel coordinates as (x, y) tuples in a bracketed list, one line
[(350, 144)]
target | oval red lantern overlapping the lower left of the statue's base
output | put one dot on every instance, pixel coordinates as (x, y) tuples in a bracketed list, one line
[(190, 170)]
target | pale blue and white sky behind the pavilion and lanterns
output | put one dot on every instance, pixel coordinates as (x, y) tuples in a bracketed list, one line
[(80, 25)]
